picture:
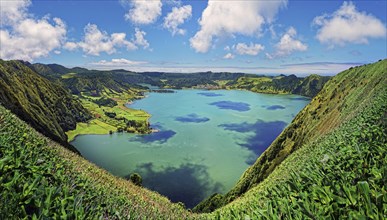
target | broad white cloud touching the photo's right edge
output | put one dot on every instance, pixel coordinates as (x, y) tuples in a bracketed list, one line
[(348, 25)]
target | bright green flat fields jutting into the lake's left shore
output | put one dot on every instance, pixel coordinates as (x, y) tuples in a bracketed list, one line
[(101, 123)]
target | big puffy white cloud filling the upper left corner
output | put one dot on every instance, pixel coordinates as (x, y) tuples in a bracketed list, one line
[(25, 37)]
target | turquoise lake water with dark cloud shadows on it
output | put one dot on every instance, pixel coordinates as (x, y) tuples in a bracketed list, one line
[(206, 140)]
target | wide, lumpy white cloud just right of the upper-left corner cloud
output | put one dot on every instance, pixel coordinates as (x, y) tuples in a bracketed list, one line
[(96, 41)]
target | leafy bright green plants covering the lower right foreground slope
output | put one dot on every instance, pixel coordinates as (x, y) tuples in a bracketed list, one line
[(341, 175)]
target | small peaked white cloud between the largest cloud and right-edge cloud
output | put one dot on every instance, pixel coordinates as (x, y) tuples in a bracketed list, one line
[(287, 45)]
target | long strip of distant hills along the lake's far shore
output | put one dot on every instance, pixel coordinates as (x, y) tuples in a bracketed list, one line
[(82, 80)]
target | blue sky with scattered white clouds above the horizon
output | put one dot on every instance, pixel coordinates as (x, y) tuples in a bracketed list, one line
[(263, 37)]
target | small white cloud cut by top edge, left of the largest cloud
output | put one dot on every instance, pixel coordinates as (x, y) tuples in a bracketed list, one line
[(144, 11)]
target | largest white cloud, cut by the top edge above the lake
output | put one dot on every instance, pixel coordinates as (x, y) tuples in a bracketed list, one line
[(233, 17)]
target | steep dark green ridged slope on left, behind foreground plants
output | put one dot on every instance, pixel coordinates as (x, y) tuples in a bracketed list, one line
[(45, 105)]
